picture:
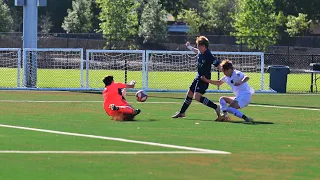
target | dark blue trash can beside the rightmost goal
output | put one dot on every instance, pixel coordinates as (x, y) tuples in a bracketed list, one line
[(278, 78)]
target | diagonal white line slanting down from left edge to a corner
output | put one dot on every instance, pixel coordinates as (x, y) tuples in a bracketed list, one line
[(118, 139)]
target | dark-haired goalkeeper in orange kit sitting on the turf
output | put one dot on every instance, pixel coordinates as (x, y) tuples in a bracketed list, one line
[(115, 103)]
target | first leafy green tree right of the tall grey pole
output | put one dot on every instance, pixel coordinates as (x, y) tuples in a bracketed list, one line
[(79, 17)]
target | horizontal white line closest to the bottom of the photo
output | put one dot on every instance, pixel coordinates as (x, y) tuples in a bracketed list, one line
[(103, 152)]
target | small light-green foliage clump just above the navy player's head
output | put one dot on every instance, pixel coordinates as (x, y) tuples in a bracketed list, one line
[(193, 20)]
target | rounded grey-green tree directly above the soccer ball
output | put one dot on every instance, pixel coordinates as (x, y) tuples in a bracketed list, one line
[(153, 26)]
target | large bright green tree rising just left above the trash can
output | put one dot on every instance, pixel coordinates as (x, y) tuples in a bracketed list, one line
[(256, 23)]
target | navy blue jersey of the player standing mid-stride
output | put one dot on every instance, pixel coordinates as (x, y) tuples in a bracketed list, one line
[(204, 64)]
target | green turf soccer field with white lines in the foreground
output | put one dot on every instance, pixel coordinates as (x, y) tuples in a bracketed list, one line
[(67, 135)]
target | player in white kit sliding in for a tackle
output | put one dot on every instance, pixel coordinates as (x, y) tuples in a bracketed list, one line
[(242, 91)]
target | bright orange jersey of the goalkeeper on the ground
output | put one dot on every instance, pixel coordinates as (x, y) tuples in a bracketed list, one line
[(111, 94)]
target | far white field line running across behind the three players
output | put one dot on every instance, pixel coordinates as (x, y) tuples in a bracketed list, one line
[(254, 105)]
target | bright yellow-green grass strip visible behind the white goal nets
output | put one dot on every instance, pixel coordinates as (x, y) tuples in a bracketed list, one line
[(63, 78)]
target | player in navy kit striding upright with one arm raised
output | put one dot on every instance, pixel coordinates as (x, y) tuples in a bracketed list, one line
[(198, 87)]
